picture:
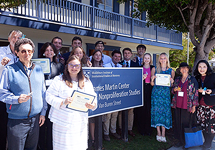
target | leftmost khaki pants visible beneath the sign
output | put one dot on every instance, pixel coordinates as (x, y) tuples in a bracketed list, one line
[(109, 122)]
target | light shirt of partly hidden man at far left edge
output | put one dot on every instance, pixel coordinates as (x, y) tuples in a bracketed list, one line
[(6, 52)]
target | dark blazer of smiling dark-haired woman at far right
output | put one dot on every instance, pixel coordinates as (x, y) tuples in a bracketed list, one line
[(209, 83)]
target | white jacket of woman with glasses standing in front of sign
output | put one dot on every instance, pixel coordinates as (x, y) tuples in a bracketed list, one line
[(59, 91)]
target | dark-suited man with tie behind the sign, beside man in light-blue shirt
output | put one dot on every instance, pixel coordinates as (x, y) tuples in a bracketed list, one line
[(127, 62)]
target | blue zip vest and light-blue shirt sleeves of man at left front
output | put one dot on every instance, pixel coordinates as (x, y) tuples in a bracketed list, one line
[(19, 82)]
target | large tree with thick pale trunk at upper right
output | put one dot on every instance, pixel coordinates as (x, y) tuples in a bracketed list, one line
[(194, 16)]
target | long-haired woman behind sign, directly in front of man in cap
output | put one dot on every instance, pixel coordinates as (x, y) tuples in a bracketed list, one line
[(96, 62)]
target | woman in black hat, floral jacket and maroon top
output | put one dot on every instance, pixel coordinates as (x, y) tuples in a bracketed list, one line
[(185, 100)]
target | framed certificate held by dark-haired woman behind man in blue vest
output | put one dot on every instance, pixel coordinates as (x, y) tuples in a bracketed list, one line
[(44, 63)]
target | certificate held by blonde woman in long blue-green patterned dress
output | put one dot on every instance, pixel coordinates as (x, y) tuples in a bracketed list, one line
[(162, 80)]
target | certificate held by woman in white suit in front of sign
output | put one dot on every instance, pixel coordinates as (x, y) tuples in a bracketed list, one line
[(79, 101)]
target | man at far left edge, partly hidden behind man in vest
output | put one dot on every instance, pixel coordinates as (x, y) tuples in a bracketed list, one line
[(7, 57)]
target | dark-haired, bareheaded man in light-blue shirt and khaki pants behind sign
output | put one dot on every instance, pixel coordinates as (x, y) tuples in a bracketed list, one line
[(111, 118)]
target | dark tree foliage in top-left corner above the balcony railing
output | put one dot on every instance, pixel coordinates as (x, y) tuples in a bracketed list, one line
[(7, 4)]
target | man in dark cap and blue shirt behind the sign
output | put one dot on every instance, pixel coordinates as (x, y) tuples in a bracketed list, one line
[(99, 45)]
